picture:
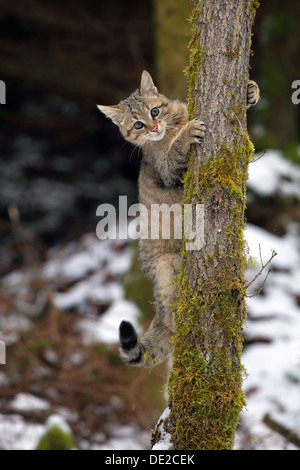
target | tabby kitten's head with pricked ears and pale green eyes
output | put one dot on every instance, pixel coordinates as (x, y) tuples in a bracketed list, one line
[(144, 116)]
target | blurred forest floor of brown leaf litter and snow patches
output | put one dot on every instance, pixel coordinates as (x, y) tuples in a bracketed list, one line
[(60, 313)]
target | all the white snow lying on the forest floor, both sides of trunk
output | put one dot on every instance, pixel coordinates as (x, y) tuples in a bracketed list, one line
[(87, 276)]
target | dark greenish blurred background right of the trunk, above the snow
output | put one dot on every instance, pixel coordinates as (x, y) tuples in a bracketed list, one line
[(275, 66)]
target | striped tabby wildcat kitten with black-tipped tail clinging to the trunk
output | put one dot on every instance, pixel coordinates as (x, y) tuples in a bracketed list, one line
[(160, 126)]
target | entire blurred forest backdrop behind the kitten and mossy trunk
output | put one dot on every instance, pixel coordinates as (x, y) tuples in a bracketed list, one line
[(62, 291)]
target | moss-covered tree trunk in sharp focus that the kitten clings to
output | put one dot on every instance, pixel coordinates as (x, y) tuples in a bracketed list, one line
[(205, 382)]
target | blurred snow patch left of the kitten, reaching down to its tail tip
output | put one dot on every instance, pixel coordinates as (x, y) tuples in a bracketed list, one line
[(102, 287)]
